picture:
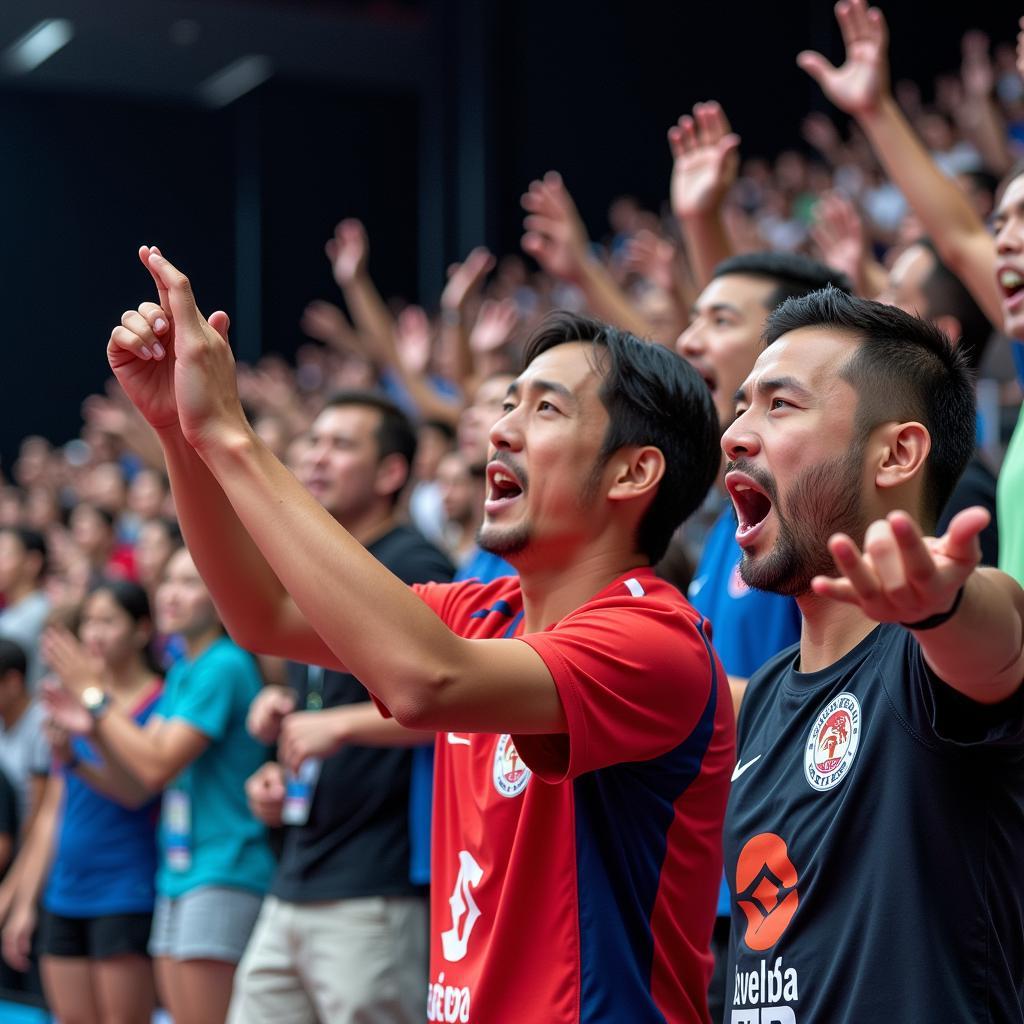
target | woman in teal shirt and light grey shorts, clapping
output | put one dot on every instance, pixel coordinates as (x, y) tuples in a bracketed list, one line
[(215, 863)]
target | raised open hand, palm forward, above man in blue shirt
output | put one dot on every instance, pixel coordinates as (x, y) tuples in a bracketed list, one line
[(705, 151)]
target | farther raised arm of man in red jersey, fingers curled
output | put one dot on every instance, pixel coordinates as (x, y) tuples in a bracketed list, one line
[(244, 587)]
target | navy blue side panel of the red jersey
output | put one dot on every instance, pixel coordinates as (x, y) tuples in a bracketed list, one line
[(623, 817)]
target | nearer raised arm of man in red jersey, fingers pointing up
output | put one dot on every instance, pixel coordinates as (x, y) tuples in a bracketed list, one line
[(432, 679)]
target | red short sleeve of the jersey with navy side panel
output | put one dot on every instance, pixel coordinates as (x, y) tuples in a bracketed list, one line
[(634, 676)]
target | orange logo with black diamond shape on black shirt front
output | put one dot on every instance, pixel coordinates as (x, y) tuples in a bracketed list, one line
[(766, 889)]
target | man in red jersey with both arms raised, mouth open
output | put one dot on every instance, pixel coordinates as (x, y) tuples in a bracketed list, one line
[(585, 727)]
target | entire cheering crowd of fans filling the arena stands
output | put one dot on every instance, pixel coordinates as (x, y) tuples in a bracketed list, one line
[(283, 648)]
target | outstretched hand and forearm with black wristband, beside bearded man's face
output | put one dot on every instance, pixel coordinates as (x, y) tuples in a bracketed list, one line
[(905, 578)]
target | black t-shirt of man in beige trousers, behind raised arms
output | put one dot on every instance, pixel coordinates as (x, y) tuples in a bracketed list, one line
[(356, 842)]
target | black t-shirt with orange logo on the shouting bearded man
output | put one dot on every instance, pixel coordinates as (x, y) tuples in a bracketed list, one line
[(874, 846)]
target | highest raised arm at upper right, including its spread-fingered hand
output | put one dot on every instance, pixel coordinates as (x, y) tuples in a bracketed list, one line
[(861, 88)]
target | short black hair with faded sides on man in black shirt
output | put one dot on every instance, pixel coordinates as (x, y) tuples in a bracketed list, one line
[(905, 370)]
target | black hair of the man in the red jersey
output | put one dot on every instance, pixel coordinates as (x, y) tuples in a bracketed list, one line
[(653, 398)]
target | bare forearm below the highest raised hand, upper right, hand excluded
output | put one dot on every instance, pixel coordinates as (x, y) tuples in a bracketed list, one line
[(948, 217)]
